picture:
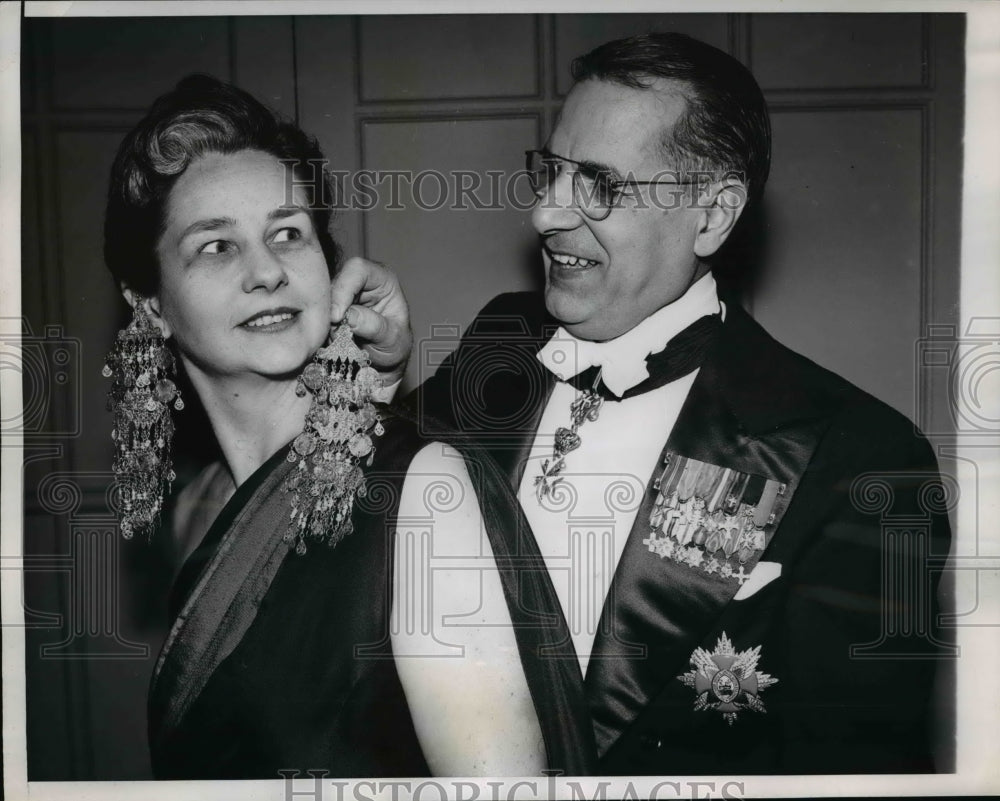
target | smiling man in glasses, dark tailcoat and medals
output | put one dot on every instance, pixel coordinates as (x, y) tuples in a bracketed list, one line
[(732, 596)]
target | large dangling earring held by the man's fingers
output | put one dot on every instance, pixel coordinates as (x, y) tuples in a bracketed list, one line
[(337, 436)]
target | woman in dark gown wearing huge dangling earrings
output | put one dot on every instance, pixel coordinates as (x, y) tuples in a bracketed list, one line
[(288, 655)]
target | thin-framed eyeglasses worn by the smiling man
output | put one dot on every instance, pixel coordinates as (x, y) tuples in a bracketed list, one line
[(596, 192)]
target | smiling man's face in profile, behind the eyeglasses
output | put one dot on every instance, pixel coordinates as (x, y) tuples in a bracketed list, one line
[(641, 257)]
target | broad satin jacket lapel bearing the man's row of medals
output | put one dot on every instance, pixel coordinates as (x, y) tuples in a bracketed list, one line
[(659, 607)]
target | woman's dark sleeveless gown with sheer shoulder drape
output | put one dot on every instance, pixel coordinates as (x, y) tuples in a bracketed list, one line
[(282, 662)]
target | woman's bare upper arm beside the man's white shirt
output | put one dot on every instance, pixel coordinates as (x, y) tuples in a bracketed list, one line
[(455, 649)]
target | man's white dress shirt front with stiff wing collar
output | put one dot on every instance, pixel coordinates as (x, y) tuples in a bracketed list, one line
[(582, 526)]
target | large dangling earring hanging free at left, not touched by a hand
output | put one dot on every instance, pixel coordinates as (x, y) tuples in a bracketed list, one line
[(141, 367)]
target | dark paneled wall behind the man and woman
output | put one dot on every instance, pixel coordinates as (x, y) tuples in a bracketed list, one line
[(854, 253)]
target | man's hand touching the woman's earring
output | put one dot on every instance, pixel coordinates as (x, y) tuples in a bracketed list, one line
[(370, 297)]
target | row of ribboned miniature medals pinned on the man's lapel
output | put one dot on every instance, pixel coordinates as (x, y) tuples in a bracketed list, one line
[(711, 518)]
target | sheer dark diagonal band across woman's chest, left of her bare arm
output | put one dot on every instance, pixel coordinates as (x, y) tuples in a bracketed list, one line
[(223, 603)]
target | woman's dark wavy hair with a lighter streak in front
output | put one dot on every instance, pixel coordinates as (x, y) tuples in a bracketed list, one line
[(200, 115)]
